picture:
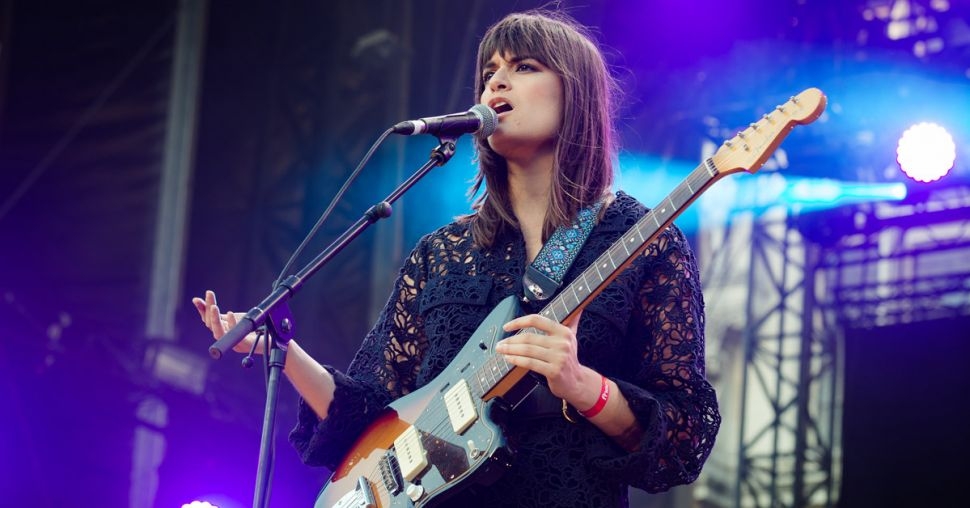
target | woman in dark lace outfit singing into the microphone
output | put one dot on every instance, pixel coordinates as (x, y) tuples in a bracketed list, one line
[(622, 398)]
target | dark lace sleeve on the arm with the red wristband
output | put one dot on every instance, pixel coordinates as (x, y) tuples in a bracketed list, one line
[(671, 398)]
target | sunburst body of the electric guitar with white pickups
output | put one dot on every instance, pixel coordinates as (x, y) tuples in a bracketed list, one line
[(371, 473)]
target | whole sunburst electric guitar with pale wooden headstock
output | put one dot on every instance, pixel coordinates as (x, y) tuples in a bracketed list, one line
[(446, 435)]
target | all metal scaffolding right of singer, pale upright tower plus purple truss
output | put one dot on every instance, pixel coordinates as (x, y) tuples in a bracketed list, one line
[(781, 289)]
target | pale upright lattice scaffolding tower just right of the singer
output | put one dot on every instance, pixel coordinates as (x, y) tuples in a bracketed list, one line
[(775, 360)]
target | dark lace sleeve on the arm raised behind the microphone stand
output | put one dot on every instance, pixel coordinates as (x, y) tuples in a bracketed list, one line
[(384, 369)]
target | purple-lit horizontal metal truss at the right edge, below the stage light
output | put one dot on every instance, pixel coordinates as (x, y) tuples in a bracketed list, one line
[(902, 263)]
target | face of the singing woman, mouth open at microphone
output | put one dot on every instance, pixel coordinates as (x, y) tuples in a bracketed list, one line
[(528, 97)]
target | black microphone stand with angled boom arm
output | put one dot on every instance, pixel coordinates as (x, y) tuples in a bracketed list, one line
[(275, 312)]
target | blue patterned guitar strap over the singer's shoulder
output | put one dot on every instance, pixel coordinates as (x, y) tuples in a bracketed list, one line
[(544, 276)]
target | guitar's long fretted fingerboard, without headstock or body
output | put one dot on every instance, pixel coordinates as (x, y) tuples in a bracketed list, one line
[(577, 295)]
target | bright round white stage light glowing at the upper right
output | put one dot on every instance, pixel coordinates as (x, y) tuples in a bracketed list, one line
[(925, 152)]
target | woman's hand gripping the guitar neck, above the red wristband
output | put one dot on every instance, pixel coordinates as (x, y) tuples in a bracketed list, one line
[(553, 352)]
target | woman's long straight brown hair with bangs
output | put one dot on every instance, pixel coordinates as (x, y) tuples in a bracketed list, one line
[(585, 146)]
